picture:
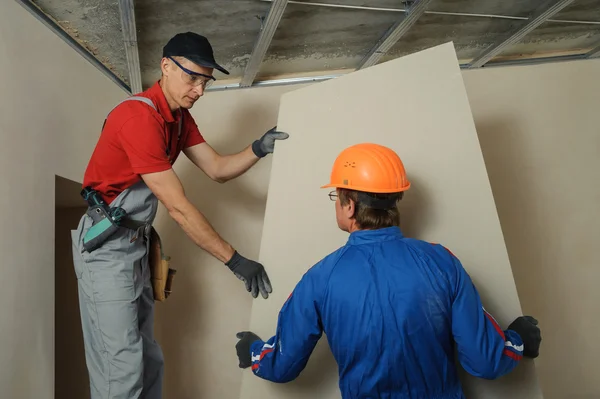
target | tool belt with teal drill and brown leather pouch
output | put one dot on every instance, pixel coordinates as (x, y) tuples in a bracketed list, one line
[(107, 221)]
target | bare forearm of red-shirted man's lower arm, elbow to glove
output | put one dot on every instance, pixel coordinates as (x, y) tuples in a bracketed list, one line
[(197, 227)]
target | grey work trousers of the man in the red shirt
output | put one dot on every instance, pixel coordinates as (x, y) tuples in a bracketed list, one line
[(117, 315)]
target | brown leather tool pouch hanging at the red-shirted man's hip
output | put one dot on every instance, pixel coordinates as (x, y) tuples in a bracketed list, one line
[(161, 273)]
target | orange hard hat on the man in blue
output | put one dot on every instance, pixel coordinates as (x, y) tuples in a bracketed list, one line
[(369, 167)]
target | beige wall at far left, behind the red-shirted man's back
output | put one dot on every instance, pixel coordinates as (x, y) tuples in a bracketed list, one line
[(52, 106)]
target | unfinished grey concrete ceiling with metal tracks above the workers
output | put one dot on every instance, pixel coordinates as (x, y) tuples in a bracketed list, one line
[(311, 38)]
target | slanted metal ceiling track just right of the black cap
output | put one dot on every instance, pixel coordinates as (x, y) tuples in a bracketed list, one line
[(263, 42)]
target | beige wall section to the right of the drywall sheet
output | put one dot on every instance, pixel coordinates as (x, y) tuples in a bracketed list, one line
[(539, 132)]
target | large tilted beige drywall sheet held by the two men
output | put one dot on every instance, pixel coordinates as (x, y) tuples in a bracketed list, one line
[(418, 106)]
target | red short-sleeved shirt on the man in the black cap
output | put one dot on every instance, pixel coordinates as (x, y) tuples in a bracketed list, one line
[(134, 141)]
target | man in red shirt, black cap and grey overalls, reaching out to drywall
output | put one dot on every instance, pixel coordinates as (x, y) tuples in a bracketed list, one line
[(130, 170)]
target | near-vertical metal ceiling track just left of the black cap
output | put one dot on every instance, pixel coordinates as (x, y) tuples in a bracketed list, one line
[(127, 11)]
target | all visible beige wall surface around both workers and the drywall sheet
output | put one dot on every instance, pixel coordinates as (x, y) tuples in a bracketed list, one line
[(539, 124)]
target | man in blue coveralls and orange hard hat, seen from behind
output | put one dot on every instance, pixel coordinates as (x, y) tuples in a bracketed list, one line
[(392, 307)]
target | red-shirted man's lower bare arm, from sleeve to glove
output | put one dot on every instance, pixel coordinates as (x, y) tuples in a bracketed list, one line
[(168, 189)]
